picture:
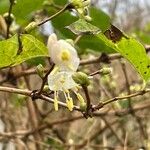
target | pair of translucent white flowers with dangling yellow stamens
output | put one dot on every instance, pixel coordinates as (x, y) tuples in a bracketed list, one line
[(66, 60)]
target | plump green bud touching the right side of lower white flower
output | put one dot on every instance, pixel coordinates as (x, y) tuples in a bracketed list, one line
[(81, 78)]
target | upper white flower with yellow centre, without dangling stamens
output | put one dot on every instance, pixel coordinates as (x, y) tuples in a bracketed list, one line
[(63, 54)]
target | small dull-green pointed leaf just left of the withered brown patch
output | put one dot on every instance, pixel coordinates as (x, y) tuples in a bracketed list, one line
[(83, 27)]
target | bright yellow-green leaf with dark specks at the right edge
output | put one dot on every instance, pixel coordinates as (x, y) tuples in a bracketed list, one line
[(133, 51)]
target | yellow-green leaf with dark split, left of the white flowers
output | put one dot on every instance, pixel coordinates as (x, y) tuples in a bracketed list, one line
[(31, 48)]
